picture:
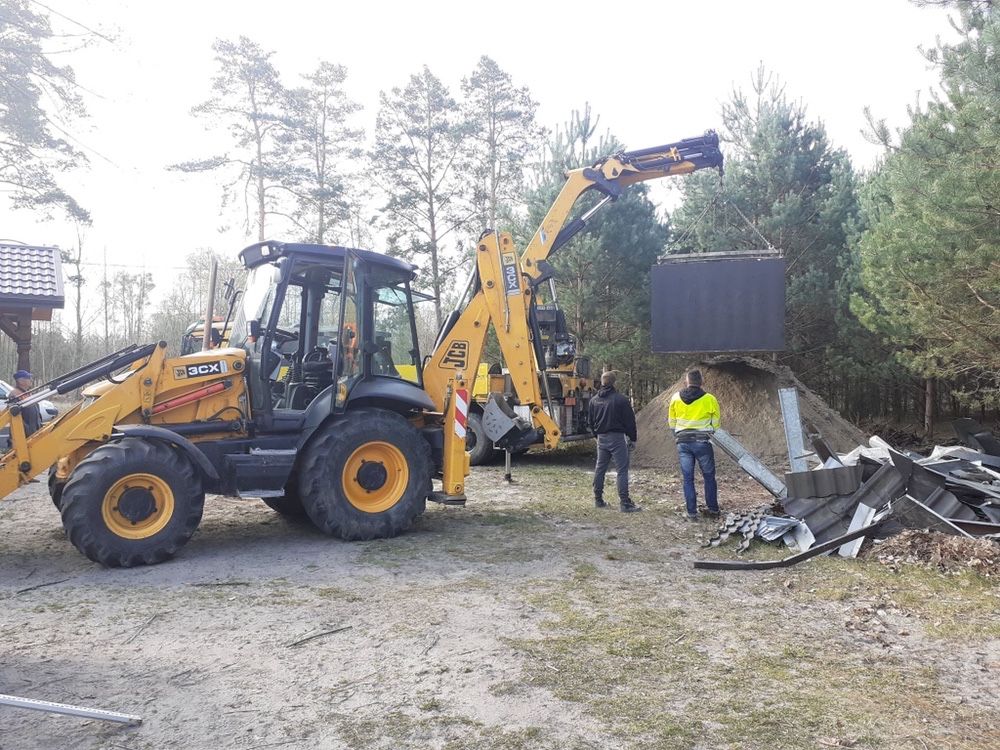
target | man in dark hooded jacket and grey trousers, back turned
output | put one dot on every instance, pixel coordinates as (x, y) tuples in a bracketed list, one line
[(613, 423)]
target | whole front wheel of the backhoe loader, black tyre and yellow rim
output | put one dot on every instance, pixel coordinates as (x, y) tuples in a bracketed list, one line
[(135, 502)]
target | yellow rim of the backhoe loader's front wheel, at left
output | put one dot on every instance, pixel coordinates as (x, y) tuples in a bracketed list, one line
[(138, 506)]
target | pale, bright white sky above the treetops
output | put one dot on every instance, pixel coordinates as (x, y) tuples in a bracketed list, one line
[(654, 71)]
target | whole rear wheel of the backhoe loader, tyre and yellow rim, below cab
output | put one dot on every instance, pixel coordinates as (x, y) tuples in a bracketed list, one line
[(365, 475)]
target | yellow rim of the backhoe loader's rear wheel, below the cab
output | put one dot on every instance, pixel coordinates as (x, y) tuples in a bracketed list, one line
[(375, 477)]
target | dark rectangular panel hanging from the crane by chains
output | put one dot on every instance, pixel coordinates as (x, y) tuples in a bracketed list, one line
[(728, 304)]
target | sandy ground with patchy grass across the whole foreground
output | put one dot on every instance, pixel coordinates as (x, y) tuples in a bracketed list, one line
[(528, 619)]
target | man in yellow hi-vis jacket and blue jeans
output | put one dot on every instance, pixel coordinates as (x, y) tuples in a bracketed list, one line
[(694, 416)]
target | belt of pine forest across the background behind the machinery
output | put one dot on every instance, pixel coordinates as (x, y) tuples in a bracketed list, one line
[(893, 272)]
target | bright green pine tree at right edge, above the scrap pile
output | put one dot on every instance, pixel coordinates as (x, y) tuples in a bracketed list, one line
[(930, 272)]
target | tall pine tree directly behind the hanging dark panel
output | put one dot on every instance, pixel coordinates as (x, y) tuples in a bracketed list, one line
[(787, 186)]
